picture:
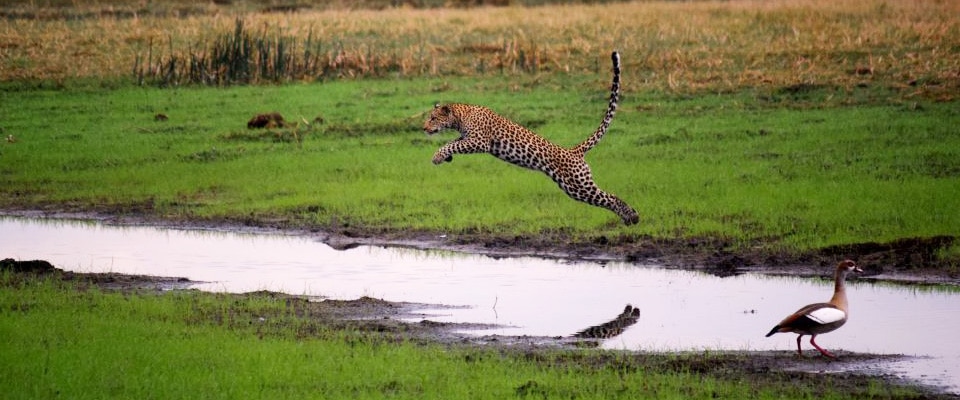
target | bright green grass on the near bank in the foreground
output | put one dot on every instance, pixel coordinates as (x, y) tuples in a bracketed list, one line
[(67, 339)]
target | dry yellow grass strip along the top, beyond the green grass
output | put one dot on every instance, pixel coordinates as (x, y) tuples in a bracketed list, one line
[(682, 46)]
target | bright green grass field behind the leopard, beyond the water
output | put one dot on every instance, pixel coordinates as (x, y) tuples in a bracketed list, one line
[(792, 171)]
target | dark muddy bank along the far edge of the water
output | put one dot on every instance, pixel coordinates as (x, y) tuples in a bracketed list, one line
[(909, 260)]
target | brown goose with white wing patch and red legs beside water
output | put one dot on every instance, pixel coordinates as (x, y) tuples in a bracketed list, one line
[(818, 318)]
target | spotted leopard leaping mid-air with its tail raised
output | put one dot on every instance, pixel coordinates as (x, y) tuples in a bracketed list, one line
[(484, 131)]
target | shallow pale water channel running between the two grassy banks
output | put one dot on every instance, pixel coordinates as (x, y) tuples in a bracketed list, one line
[(680, 310)]
